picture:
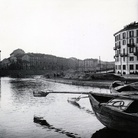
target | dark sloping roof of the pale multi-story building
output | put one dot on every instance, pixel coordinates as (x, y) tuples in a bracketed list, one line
[(130, 26)]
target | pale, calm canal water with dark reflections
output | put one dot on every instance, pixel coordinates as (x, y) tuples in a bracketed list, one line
[(24, 116)]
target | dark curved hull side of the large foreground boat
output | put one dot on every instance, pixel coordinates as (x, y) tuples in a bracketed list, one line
[(114, 119)]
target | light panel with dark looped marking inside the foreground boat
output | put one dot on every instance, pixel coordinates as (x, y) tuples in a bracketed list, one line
[(120, 104)]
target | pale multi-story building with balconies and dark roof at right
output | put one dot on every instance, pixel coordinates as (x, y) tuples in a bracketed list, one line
[(126, 50)]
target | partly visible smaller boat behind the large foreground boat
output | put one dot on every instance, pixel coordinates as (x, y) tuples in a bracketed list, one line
[(121, 87)]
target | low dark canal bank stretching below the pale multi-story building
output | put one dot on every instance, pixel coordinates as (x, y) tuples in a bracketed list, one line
[(103, 80)]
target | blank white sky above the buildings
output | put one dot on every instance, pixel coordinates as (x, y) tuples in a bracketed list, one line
[(64, 28)]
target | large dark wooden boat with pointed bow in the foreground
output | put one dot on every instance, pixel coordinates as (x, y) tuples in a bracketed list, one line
[(117, 112)]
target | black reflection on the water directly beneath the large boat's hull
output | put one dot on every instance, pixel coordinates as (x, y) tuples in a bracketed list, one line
[(108, 133)]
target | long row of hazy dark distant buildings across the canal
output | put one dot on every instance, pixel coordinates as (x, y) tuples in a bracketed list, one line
[(19, 60)]
